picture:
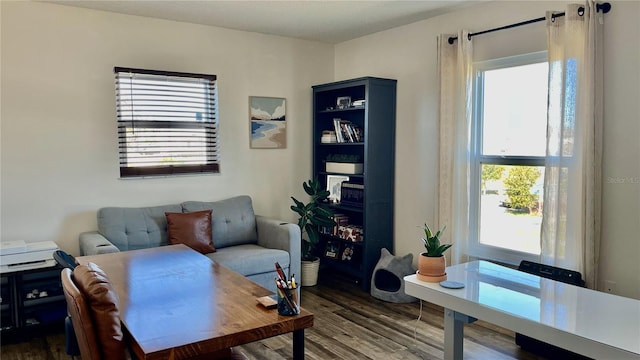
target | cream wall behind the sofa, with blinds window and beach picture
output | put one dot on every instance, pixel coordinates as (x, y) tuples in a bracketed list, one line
[(58, 128)]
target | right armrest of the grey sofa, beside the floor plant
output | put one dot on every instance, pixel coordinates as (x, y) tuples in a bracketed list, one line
[(277, 234)]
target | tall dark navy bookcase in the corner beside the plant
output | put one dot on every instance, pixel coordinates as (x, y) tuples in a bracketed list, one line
[(374, 125)]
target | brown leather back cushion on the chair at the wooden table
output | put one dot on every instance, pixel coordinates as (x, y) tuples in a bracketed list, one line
[(102, 299)]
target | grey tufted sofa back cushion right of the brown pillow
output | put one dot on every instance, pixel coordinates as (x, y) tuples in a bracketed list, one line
[(234, 222)]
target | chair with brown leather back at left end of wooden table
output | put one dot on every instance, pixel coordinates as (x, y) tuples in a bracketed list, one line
[(93, 307)]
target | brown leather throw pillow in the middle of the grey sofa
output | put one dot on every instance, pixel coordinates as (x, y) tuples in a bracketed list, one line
[(192, 229)]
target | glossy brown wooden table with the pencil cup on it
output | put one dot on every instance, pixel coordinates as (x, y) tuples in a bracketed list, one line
[(176, 303)]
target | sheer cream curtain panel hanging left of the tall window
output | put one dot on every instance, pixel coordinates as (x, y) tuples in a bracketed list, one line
[(455, 71)]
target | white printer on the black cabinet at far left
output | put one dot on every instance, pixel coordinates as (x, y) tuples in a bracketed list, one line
[(19, 255)]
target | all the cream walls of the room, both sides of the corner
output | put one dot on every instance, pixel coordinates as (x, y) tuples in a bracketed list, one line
[(57, 121)]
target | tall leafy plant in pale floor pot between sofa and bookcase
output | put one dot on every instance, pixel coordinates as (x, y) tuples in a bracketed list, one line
[(313, 215)]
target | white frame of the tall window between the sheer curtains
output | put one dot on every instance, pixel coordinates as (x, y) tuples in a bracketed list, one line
[(476, 249)]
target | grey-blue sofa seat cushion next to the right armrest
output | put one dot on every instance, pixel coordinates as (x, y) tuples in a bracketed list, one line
[(250, 259)]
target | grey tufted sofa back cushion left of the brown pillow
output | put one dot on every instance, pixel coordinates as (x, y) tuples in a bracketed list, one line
[(135, 228)]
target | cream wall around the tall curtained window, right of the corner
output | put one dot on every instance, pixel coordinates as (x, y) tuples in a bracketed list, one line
[(409, 54)]
